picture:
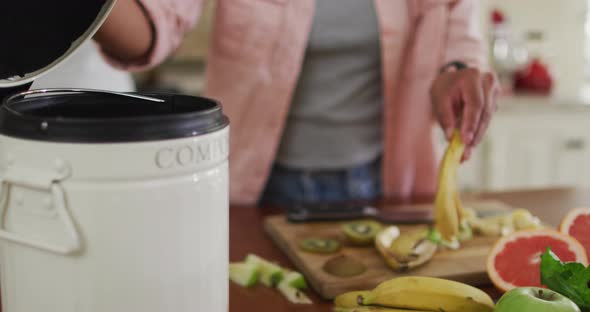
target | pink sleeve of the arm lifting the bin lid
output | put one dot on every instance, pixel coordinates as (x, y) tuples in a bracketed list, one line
[(171, 19)]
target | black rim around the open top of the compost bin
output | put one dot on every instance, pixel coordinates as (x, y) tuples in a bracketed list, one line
[(47, 119)]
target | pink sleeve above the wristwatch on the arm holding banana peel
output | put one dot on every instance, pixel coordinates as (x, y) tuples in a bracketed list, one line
[(464, 37)]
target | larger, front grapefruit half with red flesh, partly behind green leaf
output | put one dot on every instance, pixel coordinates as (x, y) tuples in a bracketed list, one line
[(515, 259)]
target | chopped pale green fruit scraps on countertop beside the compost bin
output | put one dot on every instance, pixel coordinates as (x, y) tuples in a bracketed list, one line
[(255, 269)]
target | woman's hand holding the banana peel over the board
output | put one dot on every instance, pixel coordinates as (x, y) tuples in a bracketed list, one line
[(465, 99)]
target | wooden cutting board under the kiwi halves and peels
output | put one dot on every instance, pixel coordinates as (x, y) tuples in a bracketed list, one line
[(467, 264)]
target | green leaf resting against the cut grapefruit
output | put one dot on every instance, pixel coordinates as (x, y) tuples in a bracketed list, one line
[(569, 279)]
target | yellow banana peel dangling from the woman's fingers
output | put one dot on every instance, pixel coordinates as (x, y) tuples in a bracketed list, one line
[(448, 208)]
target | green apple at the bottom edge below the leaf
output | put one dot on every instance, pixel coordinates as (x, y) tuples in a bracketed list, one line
[(533, 299)]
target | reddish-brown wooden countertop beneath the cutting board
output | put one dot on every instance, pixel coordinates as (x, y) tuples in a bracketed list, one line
[(247, 236)]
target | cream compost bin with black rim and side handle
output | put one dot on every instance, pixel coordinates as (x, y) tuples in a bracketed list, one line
[(113, 203)]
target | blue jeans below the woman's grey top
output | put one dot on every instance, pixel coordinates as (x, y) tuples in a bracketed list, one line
[(288, 185)]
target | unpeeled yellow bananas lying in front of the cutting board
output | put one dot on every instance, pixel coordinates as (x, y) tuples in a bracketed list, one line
[(414, 293)]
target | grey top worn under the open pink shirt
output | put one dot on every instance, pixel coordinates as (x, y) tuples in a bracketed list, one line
[(335, 118)]
